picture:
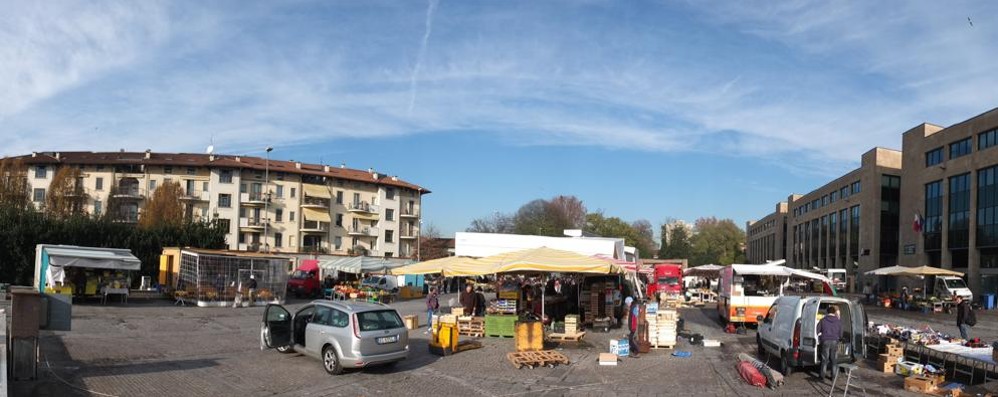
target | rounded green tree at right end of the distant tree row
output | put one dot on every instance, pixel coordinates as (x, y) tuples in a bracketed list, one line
[(716, 242)]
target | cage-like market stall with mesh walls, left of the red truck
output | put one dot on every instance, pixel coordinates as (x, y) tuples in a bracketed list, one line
[(221, 278)]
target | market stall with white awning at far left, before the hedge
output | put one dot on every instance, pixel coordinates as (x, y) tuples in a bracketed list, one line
[(84, 271)]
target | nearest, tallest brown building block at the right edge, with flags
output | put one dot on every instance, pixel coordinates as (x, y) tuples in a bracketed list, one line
[(950, 185)]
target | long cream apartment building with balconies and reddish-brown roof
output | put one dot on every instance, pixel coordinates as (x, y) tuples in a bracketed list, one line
[(267, 205)]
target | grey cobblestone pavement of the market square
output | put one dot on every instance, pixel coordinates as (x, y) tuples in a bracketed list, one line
[(154, 349)]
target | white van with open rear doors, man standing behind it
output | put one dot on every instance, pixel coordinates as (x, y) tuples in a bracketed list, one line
[(789, 330)]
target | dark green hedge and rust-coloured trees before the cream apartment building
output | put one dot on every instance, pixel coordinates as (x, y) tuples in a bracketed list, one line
[(62, 219)]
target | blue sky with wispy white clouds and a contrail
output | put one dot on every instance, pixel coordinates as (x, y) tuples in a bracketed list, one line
[(642, 109)]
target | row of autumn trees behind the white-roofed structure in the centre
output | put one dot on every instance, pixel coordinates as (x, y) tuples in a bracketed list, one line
[(708, 240)]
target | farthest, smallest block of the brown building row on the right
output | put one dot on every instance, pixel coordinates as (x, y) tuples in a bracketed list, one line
[(766, 238)]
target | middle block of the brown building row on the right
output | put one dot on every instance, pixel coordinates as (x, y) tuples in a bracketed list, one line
[(851, 222)]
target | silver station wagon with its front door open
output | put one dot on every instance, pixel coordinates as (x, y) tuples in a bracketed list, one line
[(343, 334)]
